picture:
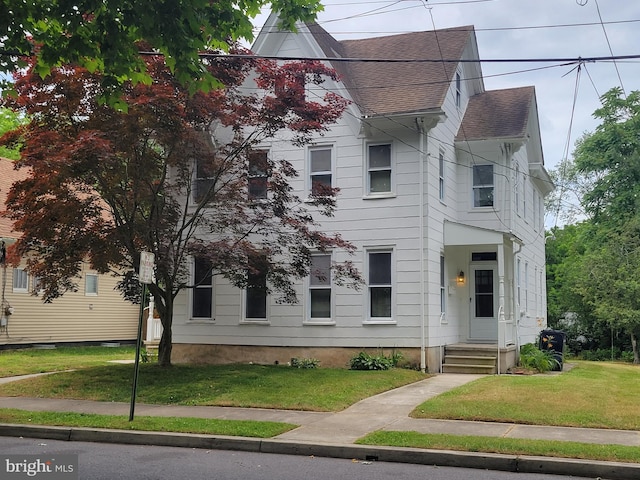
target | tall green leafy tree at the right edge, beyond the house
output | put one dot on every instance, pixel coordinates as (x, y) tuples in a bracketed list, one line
[(609, 158)]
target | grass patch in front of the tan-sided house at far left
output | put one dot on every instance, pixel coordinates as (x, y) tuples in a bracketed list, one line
[(30, 360)]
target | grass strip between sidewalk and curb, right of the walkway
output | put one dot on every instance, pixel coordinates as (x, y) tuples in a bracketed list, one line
[(507, 446)]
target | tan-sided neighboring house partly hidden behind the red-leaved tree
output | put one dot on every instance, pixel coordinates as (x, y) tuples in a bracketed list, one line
[(95, 313)]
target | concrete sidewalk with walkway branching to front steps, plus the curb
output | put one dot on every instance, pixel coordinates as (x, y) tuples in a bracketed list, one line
[(334, 434)]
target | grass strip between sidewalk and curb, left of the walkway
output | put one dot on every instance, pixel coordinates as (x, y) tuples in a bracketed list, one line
[(243, 428)]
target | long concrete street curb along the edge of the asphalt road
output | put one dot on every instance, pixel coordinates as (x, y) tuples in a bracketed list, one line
[(484, 461)]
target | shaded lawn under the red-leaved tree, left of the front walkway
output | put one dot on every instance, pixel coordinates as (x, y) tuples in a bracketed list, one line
[(322, 389)]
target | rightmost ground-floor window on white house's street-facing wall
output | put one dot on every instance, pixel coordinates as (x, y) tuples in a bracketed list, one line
[(380, 285)]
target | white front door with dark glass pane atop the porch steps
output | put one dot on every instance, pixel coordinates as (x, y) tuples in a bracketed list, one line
[(484, 304)]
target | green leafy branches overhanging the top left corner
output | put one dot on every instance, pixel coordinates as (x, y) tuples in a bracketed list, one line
[(101, 35)]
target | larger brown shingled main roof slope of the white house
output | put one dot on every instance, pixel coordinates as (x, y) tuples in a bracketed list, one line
[(386, 88)]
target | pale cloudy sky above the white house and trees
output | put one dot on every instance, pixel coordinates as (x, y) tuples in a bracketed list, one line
[(521, 29)]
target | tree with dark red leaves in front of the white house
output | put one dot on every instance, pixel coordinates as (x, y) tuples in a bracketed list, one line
[(177, 174)]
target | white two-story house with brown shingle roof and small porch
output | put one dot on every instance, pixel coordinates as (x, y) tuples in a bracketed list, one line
[(442, 188)]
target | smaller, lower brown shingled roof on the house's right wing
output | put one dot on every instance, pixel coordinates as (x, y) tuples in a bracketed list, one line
[(497, 114)]
